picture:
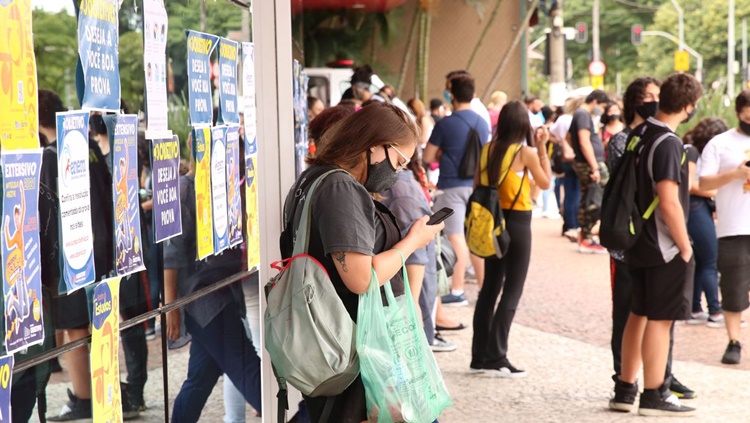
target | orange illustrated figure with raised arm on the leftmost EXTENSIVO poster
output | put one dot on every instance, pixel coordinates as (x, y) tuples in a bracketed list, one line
[(17, 300)]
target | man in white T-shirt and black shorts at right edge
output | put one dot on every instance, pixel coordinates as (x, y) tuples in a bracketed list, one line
[(725, 166)]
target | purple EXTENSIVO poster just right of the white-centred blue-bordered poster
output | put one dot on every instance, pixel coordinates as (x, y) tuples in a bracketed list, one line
[(125, 187)]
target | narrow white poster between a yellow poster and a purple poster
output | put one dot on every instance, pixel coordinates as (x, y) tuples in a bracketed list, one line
[(219, 188)]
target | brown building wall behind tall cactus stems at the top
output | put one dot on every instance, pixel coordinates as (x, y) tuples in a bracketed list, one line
[(456, 28)]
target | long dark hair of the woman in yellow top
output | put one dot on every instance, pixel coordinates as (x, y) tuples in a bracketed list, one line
[(513, 126)]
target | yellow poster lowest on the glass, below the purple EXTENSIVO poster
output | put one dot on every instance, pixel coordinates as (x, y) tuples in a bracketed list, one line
[(106, 399)]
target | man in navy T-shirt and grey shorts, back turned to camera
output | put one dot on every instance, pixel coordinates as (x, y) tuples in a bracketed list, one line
[(456, 139)]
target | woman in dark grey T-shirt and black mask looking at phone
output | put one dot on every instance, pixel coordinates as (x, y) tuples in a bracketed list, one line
[(350, 233)]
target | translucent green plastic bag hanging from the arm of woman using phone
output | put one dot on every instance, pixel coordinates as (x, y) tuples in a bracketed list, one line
[(402, 380)]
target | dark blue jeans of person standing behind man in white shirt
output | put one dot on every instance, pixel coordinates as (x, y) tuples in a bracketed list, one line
[(706, 249)]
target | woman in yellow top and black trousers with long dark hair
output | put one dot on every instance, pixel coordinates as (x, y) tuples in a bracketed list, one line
[(511, 159)]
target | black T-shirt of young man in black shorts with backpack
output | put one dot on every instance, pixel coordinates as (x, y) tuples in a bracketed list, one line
[(661, 159)]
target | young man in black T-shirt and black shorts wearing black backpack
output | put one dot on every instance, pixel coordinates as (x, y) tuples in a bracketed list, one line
[(661, 264)]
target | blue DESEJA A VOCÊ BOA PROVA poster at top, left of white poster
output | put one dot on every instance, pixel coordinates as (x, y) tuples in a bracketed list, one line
[(97, 50)]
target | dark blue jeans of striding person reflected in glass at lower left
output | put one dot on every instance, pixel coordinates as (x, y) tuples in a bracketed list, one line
[(219, 348)]
